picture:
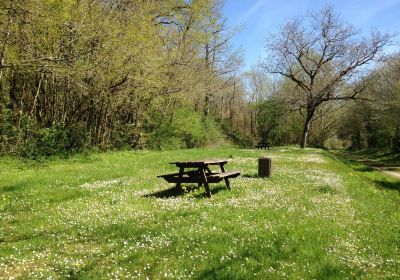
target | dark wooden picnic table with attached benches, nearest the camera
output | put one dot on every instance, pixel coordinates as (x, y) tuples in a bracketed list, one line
[(200, 173)]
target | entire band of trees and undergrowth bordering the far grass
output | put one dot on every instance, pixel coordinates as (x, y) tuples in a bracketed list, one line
[(112, 74)]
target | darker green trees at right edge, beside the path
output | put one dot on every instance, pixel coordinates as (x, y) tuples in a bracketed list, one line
[(374, 124)]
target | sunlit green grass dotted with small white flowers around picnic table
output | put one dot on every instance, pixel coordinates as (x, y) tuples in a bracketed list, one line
[(103, 216)]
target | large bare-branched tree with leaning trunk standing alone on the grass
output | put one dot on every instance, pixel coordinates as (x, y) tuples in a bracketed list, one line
[(320, 54)]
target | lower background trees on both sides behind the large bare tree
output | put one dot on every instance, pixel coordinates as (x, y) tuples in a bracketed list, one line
[(370, 121)]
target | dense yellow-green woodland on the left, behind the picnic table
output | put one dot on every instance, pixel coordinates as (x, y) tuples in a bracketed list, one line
[(110, 74)]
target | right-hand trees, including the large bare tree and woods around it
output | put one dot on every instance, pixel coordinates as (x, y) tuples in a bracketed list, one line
[(337, 88)]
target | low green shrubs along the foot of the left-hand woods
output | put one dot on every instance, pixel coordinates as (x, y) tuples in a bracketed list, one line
[(185, 129)]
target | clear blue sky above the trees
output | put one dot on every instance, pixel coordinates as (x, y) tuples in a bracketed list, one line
[(259, 18)]
